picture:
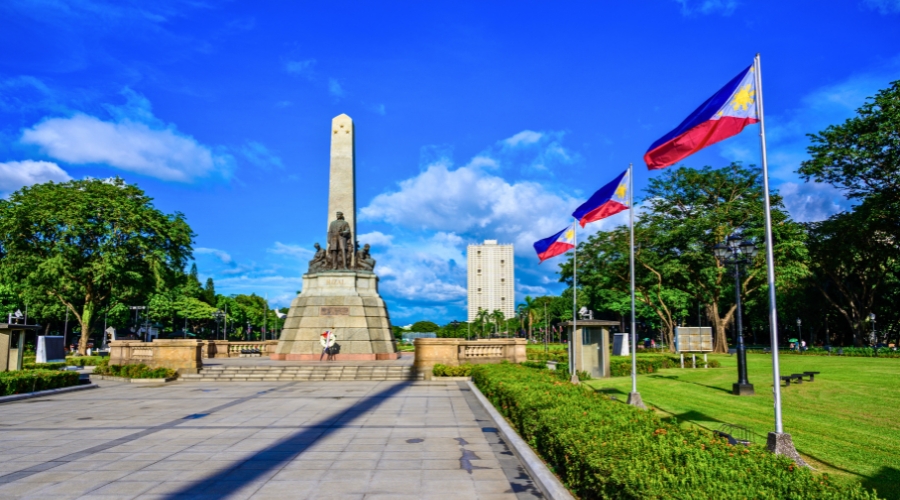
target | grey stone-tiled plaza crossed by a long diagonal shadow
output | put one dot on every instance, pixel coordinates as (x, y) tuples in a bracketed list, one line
[(356, 439)]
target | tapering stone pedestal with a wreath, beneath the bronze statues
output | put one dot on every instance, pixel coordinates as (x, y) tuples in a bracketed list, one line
[(348, 304)]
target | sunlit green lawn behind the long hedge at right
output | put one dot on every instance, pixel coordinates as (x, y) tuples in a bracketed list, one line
[(846, 423)]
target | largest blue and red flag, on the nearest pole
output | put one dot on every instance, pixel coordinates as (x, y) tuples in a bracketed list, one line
[(723, 115)]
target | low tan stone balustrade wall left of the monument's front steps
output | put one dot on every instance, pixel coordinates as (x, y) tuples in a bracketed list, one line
[(184, 356)]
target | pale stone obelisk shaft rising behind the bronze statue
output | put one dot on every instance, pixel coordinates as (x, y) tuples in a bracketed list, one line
[(342, 183)]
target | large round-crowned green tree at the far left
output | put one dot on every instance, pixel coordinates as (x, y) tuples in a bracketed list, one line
[(85, 242)]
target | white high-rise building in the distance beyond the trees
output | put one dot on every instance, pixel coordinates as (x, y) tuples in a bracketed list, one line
[(491, 279)]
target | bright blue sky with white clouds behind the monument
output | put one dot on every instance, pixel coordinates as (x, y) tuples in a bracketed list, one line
[(474, 120)]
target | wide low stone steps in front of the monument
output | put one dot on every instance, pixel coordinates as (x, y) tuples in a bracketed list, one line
[(300, 373)]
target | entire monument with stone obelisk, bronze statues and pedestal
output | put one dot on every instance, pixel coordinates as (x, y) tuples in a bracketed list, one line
[(338, 298)]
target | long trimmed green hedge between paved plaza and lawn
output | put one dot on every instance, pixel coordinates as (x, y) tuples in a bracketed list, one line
[(605, 449)]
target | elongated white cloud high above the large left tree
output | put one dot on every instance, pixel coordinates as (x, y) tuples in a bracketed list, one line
[(136, 141)]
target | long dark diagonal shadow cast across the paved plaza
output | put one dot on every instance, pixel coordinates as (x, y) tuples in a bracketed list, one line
[(235, 477)]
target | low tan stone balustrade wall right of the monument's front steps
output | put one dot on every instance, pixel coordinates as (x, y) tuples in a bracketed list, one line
[(454, 352)]
